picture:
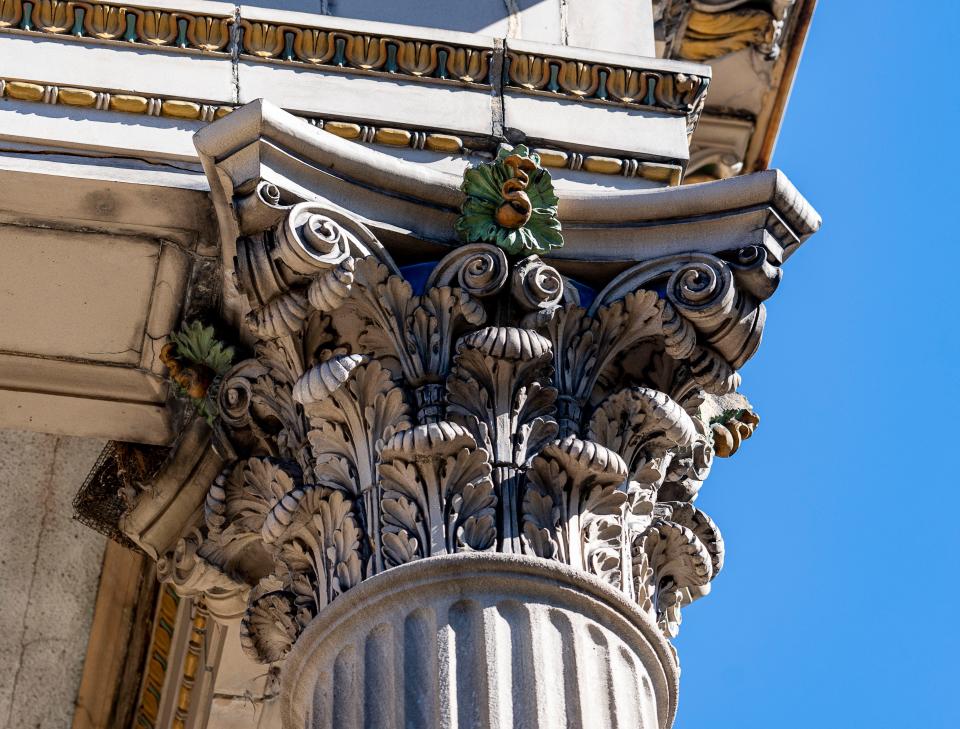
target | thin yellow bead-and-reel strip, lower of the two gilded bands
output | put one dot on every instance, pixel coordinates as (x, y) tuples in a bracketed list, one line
[(193, 110)]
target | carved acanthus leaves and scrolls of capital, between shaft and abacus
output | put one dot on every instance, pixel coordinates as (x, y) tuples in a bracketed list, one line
[(374, 423)]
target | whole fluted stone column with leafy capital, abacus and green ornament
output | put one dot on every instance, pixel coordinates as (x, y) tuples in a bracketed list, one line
[(458, 492)]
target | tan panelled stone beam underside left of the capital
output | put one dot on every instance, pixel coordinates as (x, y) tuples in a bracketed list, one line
[(96, 266)]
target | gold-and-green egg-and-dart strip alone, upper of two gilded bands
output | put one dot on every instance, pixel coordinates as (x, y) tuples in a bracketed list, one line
[(667, 91)]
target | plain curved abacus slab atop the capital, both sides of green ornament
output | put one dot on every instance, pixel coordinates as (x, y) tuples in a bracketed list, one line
[(602, 227)]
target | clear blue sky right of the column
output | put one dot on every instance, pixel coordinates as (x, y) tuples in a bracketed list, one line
[(838, 604)]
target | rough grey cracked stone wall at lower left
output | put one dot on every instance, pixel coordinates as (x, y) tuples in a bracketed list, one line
[(49, 572)]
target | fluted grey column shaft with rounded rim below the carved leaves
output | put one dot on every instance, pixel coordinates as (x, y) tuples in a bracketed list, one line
[(478, 641)]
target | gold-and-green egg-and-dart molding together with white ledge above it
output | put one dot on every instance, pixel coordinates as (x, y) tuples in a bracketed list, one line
[(416, 55)]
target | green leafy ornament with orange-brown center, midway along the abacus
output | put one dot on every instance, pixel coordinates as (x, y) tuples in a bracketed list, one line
[(510, 202)]
